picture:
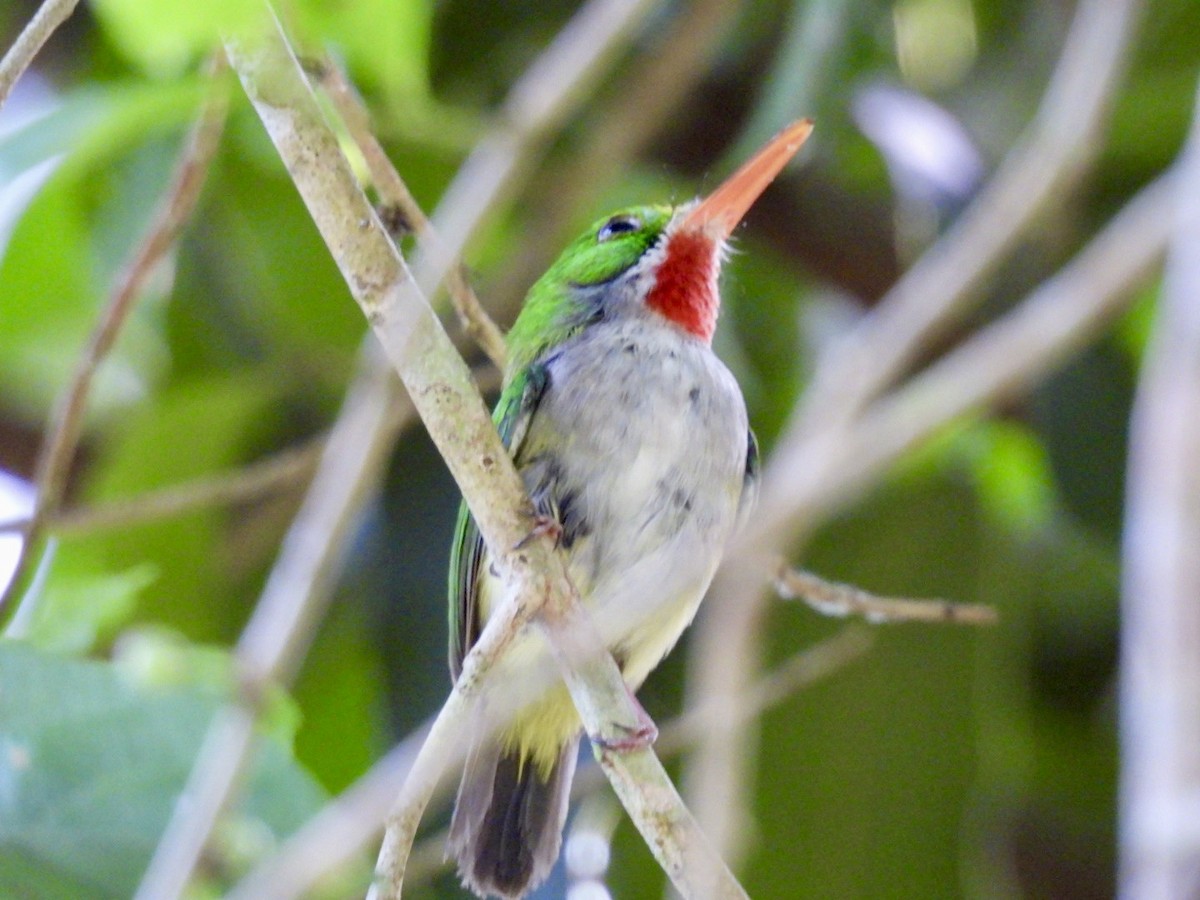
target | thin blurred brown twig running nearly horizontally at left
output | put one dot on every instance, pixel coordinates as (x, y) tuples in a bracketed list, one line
[(281, 471)]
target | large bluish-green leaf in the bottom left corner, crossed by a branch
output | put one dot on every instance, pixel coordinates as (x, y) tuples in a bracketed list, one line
[(92, 765)]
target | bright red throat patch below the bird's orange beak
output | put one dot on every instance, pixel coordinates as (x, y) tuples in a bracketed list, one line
[(686, 284)]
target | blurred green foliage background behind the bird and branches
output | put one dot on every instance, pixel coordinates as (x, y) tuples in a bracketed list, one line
[(945, 764)]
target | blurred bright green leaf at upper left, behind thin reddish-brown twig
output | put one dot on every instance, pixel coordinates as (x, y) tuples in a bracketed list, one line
[(75, 236)]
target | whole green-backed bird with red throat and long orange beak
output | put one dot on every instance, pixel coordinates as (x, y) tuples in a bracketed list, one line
[(634, 445)]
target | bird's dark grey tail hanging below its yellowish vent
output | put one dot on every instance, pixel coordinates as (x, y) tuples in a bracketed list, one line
[(508, 820)]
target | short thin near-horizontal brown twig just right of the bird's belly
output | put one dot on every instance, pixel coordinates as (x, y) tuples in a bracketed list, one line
[(831, 598)]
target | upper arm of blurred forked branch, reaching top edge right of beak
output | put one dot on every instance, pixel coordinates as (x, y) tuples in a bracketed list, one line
[(1042, 166)]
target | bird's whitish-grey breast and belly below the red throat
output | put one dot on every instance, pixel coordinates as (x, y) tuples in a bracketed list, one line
[(643, 435)]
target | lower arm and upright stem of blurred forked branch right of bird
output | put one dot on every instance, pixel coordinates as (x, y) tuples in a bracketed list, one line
[(807, 479)]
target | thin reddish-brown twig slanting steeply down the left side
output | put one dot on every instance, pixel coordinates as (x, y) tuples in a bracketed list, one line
[(67, 424)]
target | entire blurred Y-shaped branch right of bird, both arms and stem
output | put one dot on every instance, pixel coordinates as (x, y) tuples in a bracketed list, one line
[(827, 453)]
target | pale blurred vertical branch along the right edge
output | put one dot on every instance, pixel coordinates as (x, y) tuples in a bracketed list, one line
[(1161, 585)]
